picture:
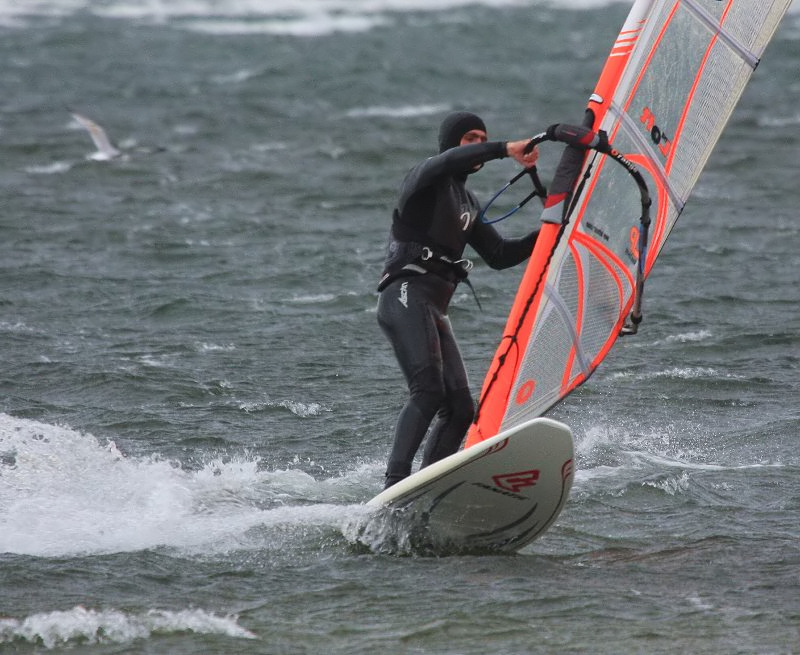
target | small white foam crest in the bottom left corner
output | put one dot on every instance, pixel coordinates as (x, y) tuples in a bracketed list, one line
[(87, 626)]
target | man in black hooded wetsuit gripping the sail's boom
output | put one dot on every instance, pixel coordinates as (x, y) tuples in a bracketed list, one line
[(435, 218)]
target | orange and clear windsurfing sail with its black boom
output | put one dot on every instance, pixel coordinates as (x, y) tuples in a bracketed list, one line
[(669, 86)]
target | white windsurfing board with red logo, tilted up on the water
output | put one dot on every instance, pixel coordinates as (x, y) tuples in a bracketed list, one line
[(497, 495)]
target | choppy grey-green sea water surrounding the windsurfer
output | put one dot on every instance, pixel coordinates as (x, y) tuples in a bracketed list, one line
[(195, 398)]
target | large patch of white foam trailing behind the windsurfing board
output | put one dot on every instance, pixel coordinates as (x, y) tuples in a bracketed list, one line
[(63, 492)]
